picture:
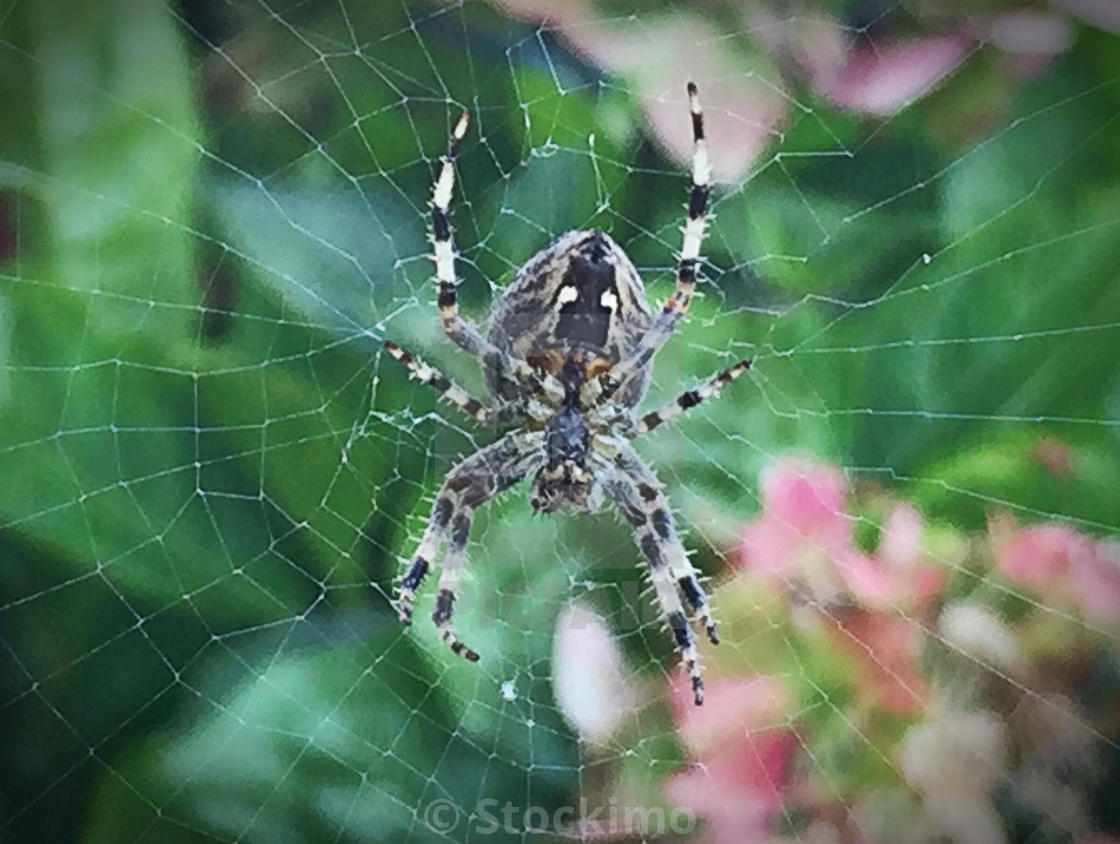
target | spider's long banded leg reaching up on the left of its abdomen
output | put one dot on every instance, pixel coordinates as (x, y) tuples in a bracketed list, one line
[(460, 331)]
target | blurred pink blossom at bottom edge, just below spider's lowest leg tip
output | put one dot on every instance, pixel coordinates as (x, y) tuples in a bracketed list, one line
[(744, 755)]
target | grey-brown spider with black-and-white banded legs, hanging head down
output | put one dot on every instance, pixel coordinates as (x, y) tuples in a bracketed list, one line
[(567, 357)]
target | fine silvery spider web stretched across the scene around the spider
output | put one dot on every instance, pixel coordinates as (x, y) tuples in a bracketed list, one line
[(213, 214)]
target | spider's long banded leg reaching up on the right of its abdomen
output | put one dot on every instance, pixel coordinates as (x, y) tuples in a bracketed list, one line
[(677, 306)]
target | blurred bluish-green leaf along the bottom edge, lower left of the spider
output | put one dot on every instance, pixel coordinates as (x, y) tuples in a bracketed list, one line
[(346, 738)]
